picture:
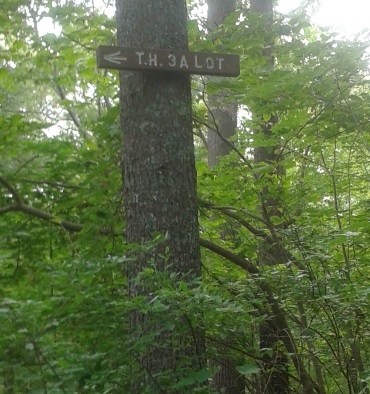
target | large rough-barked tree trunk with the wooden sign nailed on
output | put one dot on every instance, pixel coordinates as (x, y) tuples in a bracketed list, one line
[(159, 181)]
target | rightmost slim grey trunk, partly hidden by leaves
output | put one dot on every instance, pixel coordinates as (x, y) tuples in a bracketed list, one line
[(272, 332)]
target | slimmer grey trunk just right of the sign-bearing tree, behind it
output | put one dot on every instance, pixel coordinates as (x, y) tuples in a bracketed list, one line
[(223, 116)]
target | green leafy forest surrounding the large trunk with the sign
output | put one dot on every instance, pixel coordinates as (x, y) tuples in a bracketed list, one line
[(283, 209)]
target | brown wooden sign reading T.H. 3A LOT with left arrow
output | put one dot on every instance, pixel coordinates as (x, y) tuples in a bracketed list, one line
[(167, 60)]
